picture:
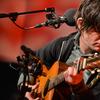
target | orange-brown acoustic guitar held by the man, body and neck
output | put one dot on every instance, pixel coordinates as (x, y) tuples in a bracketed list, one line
[(53, 80)]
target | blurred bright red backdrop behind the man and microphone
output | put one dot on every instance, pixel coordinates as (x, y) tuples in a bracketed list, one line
[(12, 37)]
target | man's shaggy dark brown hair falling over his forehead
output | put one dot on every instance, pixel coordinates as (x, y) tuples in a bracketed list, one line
[(89, 10)]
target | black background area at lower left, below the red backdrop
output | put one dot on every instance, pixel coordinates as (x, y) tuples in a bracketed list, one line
[(9, 78)]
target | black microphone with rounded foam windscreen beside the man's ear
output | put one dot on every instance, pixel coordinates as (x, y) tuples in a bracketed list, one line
[(67, 18)]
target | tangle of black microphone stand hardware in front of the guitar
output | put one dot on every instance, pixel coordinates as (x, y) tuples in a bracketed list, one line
[(24, 62)]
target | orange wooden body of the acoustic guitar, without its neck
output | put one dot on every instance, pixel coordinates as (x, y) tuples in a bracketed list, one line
[(55, 93)]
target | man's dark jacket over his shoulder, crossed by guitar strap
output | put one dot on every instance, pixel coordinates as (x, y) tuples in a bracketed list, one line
[(50, 53)]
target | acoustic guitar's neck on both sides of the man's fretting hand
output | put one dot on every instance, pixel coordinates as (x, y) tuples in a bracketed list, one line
[(82, 64)]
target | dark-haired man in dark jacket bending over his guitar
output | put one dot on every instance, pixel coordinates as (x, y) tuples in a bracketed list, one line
[(84, 42)]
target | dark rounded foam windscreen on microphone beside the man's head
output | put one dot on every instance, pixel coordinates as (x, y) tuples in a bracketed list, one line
[(69, 15)]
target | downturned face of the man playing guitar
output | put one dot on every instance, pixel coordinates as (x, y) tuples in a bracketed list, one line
[(91, 39)]
